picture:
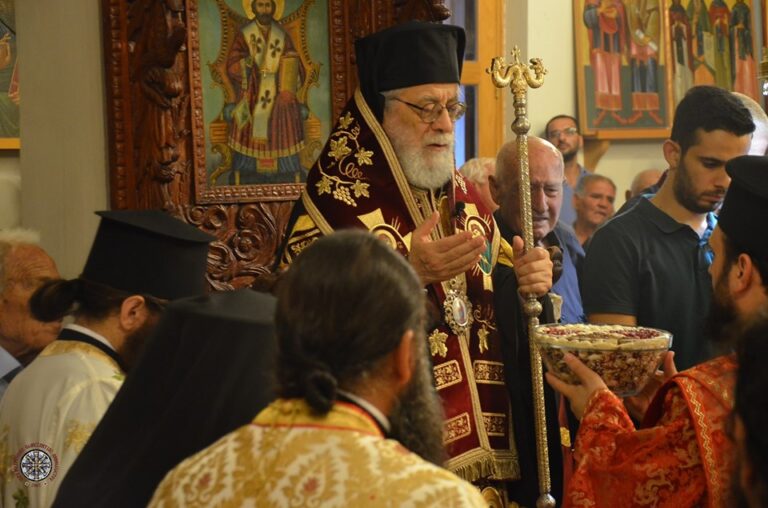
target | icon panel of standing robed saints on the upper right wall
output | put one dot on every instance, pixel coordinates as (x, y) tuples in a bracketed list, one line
[(635, 59)]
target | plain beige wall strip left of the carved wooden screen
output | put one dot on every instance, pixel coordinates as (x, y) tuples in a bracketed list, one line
[(63, 125)]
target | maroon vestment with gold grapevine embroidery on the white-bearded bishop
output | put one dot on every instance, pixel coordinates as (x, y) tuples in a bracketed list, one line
[(357, 182)]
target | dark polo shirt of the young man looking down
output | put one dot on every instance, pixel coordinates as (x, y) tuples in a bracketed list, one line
[(645, 263)]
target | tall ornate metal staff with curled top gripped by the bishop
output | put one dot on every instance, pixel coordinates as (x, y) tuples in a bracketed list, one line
[(519, 77)]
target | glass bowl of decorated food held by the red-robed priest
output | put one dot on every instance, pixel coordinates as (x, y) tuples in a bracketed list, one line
[(624, 356)]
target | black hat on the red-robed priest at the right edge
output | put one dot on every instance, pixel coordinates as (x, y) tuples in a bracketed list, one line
[(746, 203)]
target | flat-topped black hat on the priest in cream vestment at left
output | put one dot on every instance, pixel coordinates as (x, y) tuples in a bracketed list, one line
[(148, 252)]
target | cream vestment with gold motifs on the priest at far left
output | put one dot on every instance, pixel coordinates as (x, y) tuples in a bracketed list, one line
[(54, 405)]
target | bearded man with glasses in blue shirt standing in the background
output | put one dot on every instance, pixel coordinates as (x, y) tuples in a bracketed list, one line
[(563, 132)]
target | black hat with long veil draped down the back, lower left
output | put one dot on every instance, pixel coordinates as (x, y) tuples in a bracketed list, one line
[(208, 369)]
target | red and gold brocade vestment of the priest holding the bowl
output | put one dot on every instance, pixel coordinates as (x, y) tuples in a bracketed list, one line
[(680, 457)]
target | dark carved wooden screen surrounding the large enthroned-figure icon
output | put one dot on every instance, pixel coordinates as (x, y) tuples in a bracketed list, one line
[(153, 97)]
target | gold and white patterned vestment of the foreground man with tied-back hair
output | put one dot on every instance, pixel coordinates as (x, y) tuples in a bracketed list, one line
[(290, 456)]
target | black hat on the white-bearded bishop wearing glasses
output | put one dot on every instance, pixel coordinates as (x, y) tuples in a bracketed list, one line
[(410, 54)]
